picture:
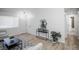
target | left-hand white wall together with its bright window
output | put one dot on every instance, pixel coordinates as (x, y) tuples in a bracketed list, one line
[(12, 25)]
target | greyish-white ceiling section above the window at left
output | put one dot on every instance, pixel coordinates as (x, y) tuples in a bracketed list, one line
[(11, 11)]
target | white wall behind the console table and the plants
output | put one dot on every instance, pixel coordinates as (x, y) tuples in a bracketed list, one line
[(55, 19)]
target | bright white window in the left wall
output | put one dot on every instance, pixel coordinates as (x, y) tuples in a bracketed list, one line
[(8, 22)]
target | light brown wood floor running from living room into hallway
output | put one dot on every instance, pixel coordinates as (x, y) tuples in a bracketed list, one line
[(71, 42)]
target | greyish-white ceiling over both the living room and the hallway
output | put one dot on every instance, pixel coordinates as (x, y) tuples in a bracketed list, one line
[(14, 11)]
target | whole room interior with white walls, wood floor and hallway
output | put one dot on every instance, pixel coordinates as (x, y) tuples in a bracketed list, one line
[(39, 28)]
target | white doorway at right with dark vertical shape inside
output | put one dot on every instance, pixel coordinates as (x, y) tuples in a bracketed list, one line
[(71, 24)]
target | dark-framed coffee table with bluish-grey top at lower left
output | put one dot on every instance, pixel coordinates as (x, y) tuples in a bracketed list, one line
[(12, 43)]
